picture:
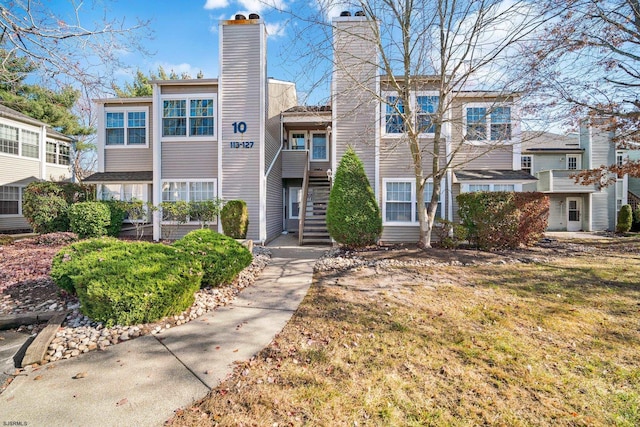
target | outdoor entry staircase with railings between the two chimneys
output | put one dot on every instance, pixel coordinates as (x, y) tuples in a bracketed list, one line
[(313, 225)]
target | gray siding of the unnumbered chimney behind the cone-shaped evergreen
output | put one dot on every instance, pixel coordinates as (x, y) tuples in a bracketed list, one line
[(354, 107)]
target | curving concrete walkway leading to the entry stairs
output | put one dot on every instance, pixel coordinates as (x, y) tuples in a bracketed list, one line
[(142, 381)]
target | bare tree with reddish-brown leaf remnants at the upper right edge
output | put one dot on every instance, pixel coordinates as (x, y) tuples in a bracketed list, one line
[(588, 63)]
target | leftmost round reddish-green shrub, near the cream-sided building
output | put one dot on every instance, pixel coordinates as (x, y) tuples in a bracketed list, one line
[(45, 207)]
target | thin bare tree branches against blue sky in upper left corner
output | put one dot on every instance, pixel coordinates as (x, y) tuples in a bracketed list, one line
[(62, 45)]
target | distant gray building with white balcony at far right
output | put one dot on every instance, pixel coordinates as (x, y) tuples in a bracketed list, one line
[(554, 159)]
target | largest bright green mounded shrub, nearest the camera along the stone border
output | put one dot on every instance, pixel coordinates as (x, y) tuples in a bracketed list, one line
[(131, 282)]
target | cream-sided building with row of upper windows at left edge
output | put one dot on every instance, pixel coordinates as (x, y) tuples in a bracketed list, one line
[(29, 151)]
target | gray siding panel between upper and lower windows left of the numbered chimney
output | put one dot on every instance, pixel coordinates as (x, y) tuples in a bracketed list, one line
[(189, 159)]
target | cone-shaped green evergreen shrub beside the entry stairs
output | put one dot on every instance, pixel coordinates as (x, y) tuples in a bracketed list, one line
[(353, 216)]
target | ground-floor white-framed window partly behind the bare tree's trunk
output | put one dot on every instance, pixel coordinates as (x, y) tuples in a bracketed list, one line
[(399, 204)]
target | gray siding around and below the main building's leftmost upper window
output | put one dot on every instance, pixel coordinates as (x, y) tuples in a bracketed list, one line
[(127, 159)]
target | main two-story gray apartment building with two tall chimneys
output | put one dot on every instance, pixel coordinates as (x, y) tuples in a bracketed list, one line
[(244, 136)]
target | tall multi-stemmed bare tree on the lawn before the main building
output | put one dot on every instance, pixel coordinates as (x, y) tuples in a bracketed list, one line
[(455, 48)]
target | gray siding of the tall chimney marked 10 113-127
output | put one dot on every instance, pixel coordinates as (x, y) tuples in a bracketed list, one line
[(241, 99)]
